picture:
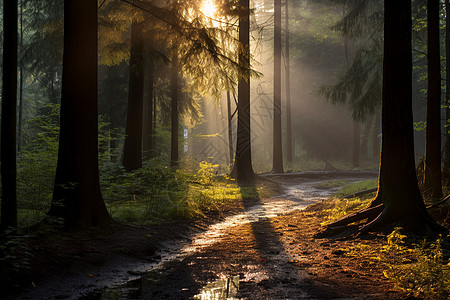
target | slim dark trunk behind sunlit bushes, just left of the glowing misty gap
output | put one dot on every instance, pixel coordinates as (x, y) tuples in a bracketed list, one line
[(174, 113)]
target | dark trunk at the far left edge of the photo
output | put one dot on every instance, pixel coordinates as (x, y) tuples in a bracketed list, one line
[(8, 122)]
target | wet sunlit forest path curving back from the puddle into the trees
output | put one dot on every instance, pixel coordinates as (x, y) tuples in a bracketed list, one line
[(261, 253)]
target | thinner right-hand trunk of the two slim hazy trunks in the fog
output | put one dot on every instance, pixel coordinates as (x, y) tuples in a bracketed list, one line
[(289, 144)]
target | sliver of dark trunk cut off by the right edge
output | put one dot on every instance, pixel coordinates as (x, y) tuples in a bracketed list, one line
[(446, 166)]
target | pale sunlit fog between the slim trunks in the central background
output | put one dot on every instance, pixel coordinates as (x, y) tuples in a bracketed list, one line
[(321, 131)]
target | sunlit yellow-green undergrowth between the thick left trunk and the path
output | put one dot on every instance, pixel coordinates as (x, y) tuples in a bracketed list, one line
[(156, 193)]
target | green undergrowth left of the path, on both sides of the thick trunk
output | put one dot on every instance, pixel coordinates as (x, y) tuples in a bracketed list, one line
[(153, 194)]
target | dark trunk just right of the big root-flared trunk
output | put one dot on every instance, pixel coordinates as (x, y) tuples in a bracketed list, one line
[(433, 177)]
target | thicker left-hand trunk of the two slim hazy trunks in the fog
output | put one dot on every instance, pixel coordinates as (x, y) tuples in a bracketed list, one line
[(277, 142)]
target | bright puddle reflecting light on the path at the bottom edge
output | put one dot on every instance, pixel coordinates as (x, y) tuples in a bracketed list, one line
[(223, 289)]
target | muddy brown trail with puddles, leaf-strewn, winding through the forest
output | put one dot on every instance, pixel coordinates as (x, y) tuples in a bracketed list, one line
[(266, 252)]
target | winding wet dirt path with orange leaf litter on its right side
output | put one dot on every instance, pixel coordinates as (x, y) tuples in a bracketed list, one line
[(265, 250)]
